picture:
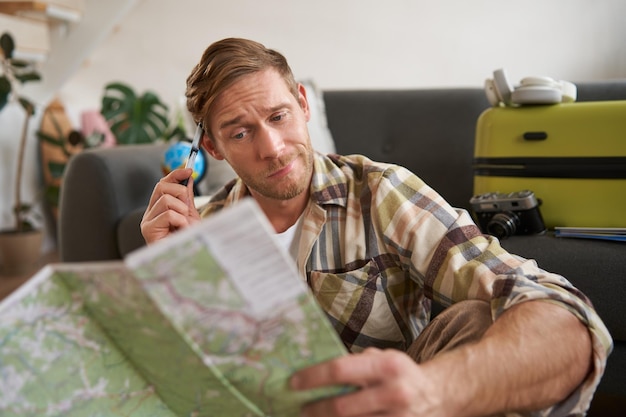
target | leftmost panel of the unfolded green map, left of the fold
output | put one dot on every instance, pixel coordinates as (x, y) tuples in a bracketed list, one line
[(55, 360)]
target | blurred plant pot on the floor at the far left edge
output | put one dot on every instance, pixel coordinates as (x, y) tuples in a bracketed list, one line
[(20, 252)]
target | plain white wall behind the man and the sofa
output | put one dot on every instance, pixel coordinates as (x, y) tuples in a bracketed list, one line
[(350, 44)]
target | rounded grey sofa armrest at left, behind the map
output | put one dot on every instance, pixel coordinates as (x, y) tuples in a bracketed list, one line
[(100, 187)]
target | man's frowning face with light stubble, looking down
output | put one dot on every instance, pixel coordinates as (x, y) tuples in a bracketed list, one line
[(259, 127)]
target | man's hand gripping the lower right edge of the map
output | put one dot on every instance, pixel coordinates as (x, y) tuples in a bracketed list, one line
[(389, 383)]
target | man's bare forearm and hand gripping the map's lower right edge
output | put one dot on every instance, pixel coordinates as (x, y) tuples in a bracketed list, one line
[(533, 356)]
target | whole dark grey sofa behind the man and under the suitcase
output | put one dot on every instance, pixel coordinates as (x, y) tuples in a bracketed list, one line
[(430, 131)]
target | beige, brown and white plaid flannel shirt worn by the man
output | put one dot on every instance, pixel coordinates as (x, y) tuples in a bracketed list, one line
[(377, 244)]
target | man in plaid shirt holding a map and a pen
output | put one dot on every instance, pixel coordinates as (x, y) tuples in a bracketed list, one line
[(374, 243)]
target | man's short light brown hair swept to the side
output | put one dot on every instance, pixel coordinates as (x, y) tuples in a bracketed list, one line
[(225, 62)]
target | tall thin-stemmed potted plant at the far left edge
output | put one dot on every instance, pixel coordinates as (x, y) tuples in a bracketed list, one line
[(20, 245)]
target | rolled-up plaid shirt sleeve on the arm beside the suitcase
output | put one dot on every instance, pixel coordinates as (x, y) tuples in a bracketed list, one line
[(445, 252)]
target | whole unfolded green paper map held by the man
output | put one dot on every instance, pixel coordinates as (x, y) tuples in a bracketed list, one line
[(211, 322)]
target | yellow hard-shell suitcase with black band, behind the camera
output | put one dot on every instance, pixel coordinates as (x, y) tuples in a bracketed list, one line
[(571, 155)]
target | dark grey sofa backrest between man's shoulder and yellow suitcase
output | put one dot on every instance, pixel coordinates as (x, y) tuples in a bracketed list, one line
[(429, 131)]
